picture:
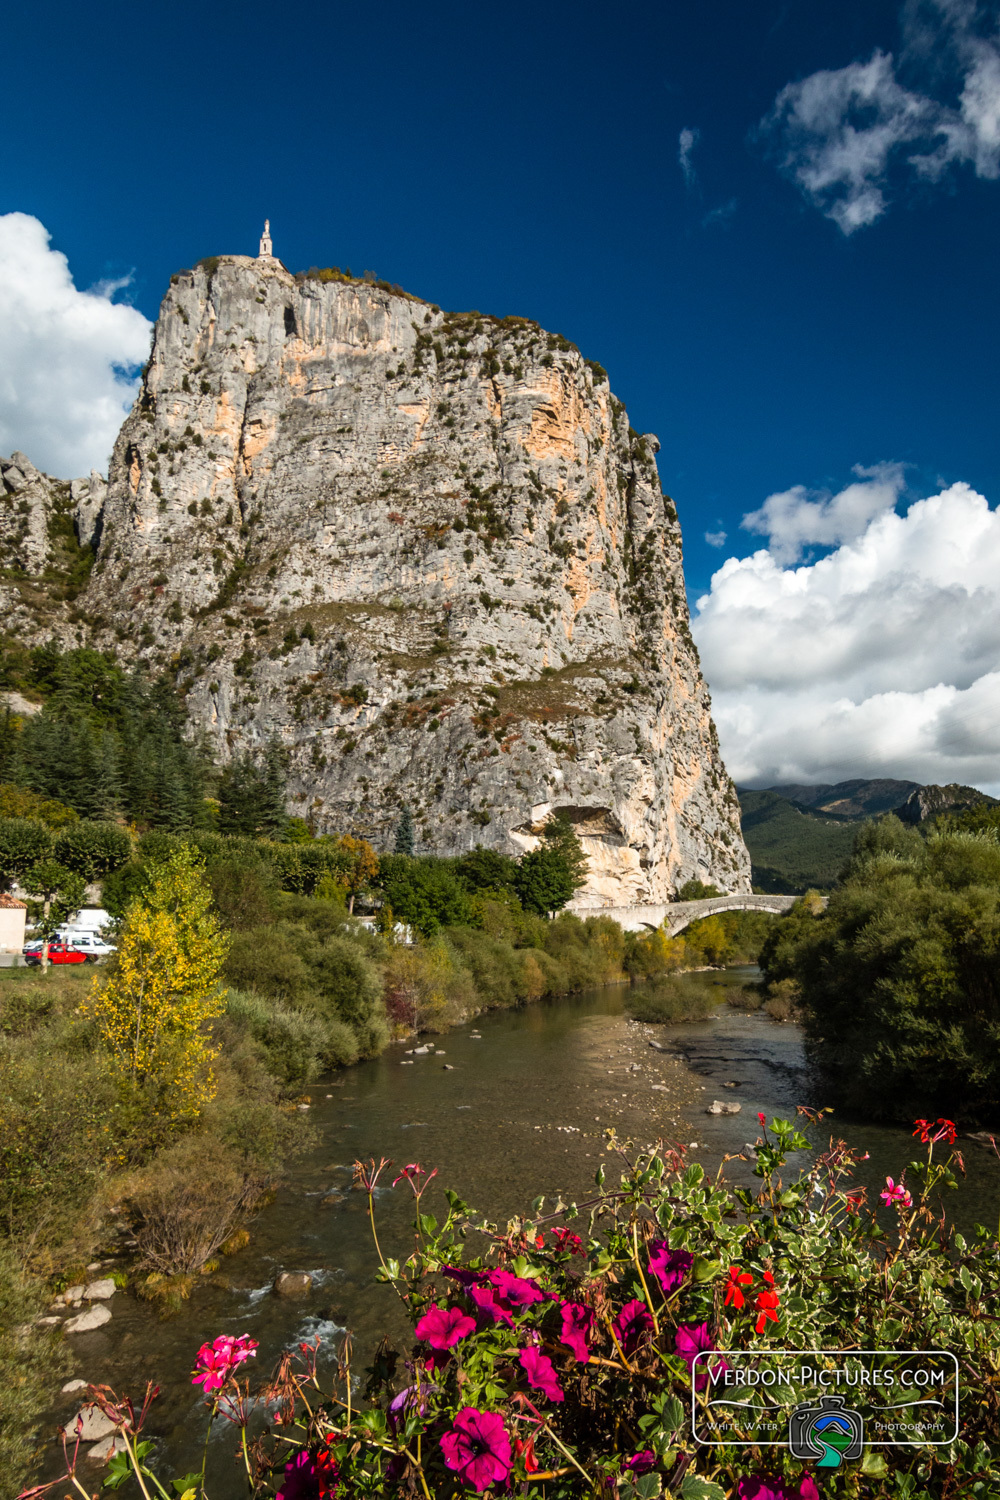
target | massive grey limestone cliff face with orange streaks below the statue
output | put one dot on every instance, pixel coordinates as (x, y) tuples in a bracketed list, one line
[(427, 551)]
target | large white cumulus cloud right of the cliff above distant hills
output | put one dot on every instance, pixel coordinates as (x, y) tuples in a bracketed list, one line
[(879, 659)]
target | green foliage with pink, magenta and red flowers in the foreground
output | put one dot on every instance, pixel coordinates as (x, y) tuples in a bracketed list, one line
[(564, 1364)]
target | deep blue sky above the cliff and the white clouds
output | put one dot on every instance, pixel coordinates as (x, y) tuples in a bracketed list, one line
[(774, 319)]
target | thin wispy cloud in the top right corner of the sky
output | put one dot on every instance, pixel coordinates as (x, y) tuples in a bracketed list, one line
[(840, 133)]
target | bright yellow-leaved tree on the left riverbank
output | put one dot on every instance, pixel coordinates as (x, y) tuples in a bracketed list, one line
[(163, 991)]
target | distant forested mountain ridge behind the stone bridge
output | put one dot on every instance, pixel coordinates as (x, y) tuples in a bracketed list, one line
[(801, 836)]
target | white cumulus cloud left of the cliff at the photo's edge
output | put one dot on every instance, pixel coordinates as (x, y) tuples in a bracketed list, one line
[(68, 356)]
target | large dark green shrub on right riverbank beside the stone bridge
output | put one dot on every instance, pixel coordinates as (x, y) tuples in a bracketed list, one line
[(900, 977)]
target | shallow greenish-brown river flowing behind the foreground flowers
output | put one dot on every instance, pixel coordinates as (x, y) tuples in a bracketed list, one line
[(509, 1114)]
